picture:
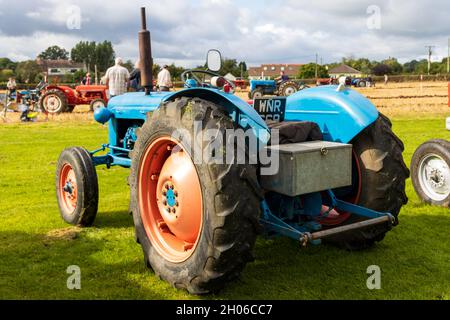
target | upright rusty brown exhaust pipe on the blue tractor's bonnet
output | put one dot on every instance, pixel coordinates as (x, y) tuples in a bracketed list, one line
[(145, 53)]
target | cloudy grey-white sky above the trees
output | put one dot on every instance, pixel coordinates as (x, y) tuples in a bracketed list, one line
[(289, 31)]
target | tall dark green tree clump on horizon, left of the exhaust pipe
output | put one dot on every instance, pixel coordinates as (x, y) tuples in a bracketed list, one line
[(91, 54)]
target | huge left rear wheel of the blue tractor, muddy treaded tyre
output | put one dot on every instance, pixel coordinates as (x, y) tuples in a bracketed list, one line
[(229, 196)]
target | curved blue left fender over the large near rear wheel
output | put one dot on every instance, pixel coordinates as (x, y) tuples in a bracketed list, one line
[(239, 110)]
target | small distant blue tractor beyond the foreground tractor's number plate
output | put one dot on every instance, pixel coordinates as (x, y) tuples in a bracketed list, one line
[(260, 88)]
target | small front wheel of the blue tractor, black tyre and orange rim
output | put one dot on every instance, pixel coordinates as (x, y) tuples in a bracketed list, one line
[(77, 187)]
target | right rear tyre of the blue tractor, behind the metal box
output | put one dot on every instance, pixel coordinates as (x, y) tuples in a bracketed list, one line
[(381, 182)]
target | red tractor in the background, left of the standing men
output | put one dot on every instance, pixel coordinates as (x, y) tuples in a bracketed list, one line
[(57, 99)]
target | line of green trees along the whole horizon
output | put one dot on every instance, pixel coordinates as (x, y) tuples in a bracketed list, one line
[(101, 55)]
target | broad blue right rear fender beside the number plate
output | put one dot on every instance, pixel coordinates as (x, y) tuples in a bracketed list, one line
[(341, 115)]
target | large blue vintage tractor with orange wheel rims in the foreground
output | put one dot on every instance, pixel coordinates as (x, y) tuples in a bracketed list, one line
[(207, 173)]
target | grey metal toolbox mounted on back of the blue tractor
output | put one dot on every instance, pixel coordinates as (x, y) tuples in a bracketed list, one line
[(310, 167)]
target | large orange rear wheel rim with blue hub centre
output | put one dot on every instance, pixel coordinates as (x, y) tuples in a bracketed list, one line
[(170, 199)]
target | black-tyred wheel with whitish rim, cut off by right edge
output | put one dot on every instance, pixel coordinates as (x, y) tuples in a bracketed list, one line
[(430, 172)]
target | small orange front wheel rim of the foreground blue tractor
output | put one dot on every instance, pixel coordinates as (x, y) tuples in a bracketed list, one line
[(68, 188)]
